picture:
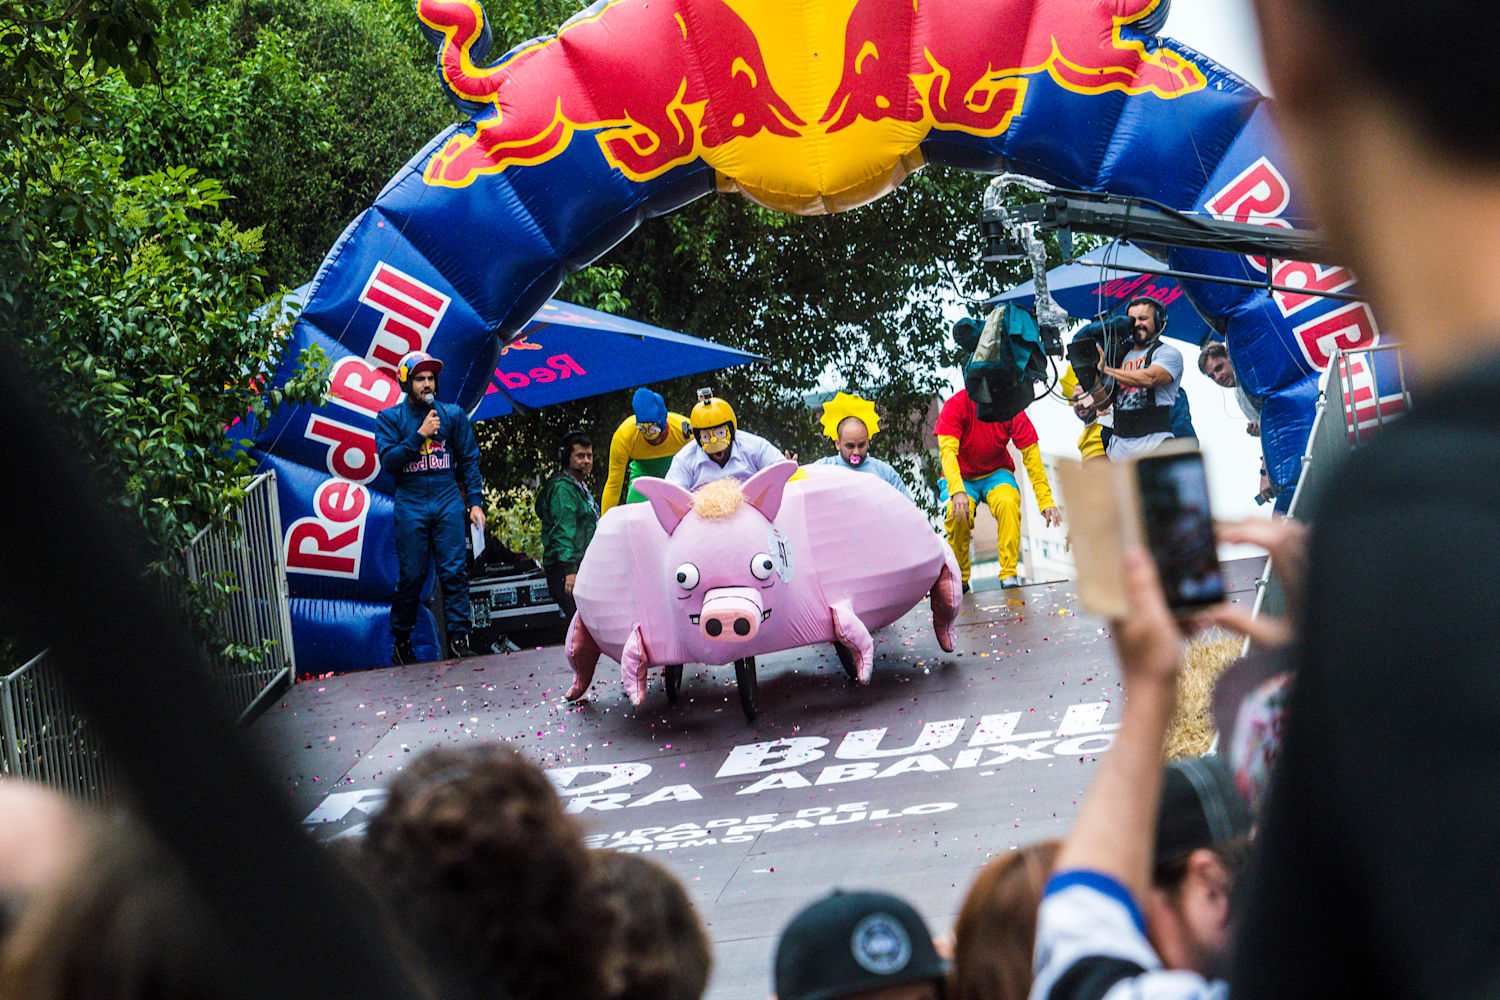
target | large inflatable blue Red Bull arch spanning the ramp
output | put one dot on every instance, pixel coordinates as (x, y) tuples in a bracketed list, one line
[(638, 107)]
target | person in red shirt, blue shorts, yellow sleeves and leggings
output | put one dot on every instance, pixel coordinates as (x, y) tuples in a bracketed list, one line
[(979, 470)]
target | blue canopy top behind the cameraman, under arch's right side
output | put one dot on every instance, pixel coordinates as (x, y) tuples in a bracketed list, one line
[(1102, 284)]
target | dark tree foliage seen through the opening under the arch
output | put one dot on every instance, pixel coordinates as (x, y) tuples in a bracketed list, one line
[(853, 301)]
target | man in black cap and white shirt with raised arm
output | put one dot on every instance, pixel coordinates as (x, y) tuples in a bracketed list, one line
[(1138, 905)]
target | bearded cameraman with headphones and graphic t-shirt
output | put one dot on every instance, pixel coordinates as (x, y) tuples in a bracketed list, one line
[(1150, 379)]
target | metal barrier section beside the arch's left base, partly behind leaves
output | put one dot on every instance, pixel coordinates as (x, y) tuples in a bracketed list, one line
[(247, 552)]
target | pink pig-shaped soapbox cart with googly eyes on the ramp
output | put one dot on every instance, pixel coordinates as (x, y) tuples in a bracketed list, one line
[(737, 570)]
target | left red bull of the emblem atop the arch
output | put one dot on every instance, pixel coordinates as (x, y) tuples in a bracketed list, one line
[(664, 85)]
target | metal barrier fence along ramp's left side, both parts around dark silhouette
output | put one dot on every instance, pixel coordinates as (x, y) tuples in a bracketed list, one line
[(49, 741)]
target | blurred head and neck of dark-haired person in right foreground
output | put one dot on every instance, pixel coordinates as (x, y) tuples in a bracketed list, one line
[(1385, 115)]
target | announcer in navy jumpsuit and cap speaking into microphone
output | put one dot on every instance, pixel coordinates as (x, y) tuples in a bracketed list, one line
[(431, 451)]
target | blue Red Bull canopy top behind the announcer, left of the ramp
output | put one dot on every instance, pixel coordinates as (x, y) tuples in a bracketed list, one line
[(569, 353)]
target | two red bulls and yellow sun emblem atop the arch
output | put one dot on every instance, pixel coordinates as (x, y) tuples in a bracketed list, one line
[(802, 107)]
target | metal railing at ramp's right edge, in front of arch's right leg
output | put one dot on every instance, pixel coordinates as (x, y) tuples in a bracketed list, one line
[(1351, 410)]
